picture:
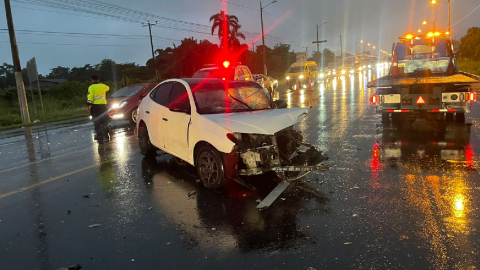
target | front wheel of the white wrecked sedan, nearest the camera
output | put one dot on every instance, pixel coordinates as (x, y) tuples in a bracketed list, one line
[(210, 167)]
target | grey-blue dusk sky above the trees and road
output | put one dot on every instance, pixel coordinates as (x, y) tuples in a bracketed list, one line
[(50, 33)]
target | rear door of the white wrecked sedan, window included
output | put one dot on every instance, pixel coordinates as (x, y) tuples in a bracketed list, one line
[(156, 112)]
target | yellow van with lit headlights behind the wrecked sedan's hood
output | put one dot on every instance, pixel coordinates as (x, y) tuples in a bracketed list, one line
[(301, 74)]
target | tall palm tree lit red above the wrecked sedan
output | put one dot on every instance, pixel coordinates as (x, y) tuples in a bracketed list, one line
[(223, 22)]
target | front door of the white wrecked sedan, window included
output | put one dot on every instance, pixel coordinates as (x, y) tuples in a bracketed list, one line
[(177, 123)]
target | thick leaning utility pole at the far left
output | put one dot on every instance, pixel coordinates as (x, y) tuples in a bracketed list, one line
[(22, 97)]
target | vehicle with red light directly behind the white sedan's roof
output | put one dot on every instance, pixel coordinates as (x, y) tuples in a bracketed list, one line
[(226, 71)]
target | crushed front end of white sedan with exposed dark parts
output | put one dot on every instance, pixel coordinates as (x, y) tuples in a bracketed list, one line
[(285, 153)]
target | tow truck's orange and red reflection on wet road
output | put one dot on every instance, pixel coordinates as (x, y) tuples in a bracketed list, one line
[(436, 163)]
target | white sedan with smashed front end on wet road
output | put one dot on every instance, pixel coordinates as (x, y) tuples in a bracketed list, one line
[(225, 129)]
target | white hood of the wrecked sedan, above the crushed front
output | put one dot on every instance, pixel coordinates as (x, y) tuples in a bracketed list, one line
[(266, 122)]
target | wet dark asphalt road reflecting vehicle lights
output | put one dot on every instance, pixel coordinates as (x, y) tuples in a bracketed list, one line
[(398, 196)]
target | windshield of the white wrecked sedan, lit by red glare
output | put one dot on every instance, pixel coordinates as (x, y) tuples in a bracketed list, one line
[(237, 97)]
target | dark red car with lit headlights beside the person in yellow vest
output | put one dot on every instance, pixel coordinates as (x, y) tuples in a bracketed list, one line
[(124, 102)]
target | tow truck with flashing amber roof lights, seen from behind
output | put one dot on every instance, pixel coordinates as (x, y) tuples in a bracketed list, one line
[(424, 81)]
